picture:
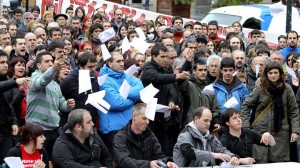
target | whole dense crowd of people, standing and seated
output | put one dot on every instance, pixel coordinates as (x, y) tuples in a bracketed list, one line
[(45, 120)]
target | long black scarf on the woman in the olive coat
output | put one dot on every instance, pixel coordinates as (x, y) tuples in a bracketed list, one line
[(276, 93)]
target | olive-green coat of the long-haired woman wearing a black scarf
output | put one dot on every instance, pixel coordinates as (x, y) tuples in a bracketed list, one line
[(259, 100)]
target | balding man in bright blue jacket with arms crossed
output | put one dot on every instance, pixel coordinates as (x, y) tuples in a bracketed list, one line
[(119, 113)]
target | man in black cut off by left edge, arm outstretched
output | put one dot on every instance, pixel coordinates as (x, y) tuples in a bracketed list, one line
[(8, 120)]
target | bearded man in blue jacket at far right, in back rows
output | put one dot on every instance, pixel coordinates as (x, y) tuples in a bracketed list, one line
[(292, 38)]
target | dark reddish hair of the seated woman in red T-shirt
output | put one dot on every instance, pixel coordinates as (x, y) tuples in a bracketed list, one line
[(30, 132)]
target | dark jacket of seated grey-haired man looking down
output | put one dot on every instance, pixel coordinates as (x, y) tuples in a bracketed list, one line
[(136, 151)]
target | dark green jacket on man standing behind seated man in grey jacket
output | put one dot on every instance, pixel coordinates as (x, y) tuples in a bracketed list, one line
[(194, 89)]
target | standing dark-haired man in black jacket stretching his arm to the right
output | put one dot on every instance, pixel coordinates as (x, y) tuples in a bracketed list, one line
[(155, 72)]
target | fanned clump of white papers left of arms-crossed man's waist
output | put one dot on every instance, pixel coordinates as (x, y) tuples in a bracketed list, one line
[(96, 100)]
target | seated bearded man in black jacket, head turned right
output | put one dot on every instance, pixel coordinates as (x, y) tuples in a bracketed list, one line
[(79, 145)]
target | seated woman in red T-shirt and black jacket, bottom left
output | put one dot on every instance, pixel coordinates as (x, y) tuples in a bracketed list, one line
[(31, 150)]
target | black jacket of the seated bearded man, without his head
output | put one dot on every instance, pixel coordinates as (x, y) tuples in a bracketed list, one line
[(68, 152)]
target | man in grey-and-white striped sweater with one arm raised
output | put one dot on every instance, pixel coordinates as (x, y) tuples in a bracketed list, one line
[(45, 100)]
